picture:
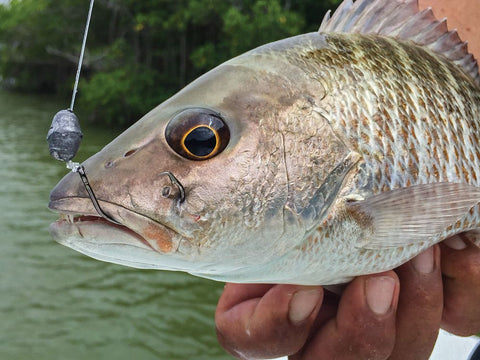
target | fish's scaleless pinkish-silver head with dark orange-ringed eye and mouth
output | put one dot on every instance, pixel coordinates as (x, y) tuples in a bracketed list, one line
[(211, 181)]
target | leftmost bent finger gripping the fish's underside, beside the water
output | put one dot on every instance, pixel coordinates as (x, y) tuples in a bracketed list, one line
[(259, 321)]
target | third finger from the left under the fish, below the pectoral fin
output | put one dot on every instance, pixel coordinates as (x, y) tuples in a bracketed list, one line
[(420, 306)]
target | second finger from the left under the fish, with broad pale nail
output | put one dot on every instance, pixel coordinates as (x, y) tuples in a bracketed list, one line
[(364, 327)]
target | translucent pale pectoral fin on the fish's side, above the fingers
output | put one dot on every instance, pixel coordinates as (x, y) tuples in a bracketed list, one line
[(414, 214)]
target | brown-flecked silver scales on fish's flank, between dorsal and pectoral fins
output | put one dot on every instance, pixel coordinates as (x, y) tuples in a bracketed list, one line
[(414, 120)]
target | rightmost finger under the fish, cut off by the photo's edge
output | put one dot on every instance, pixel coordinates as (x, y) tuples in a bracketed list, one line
[(461, 270)]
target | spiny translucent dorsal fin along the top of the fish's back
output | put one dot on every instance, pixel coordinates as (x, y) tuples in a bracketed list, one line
[(402, 19)]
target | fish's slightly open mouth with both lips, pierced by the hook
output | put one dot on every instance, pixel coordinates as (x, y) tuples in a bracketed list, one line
[(136, 241)]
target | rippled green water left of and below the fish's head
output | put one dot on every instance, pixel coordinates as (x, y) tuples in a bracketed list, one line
[(58, 304)]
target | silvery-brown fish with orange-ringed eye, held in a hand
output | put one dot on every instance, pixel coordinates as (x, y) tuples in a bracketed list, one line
[(310, 160)]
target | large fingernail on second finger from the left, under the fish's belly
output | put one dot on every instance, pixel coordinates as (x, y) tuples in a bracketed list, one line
[(380, 291)]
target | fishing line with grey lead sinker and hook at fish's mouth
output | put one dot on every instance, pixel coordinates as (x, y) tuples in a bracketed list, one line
[(65, 135)]
